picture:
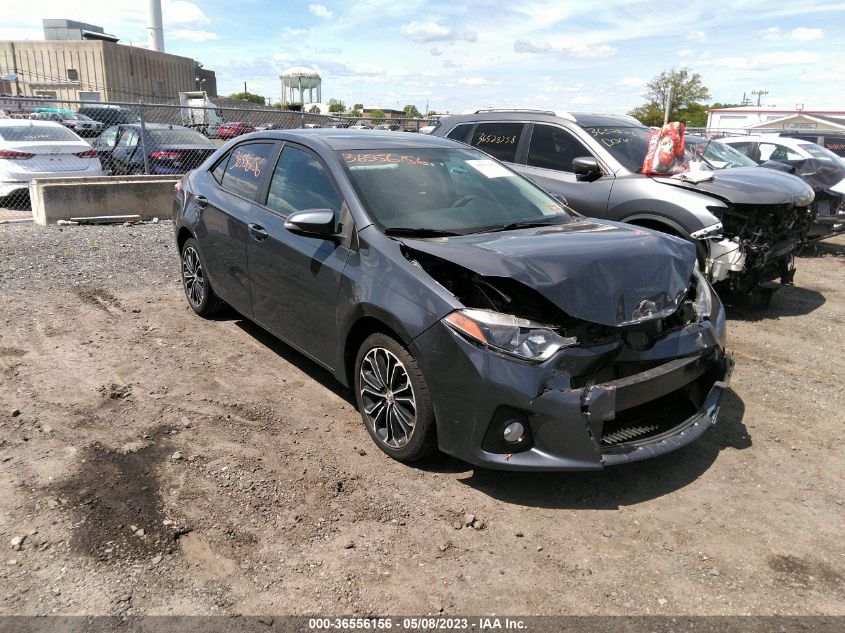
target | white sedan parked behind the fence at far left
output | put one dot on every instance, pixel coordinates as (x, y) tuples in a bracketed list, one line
[(41, 149)]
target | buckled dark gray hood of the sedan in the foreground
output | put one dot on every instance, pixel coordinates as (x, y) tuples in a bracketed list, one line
[(605, 273)]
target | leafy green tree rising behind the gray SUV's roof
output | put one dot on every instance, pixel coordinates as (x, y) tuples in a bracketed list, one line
[(687, 92)]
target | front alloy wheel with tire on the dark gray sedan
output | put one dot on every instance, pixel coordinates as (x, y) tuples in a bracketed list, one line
[(394, 399)]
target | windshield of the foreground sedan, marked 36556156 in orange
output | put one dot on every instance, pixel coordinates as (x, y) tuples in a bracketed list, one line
[(450, 191)]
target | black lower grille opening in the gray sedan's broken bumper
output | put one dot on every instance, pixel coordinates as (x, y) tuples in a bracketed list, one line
[(649, 419)]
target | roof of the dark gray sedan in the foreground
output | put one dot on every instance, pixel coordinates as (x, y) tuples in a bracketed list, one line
[(347, 139)]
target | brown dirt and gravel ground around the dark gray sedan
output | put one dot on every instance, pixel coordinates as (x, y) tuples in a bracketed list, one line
[(157, 463)]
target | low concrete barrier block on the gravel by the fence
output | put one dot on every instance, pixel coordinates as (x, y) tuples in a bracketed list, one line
[(64, 198)]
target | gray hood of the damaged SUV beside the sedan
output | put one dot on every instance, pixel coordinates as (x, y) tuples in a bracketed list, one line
[(750, 185)]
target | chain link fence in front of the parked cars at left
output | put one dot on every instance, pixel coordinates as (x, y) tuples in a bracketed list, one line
[(50, 138)]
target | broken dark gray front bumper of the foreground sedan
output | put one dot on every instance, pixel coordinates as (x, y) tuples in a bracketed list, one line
[(576, 427)]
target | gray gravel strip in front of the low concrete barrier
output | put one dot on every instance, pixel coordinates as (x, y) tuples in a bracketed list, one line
[(114, 256)]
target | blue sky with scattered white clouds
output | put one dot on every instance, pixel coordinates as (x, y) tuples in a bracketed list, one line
[(565, 54)]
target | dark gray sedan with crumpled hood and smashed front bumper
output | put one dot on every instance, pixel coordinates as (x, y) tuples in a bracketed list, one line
[(469, 310)]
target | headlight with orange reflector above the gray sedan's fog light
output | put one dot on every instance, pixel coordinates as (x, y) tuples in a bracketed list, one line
[(509, 334)]
